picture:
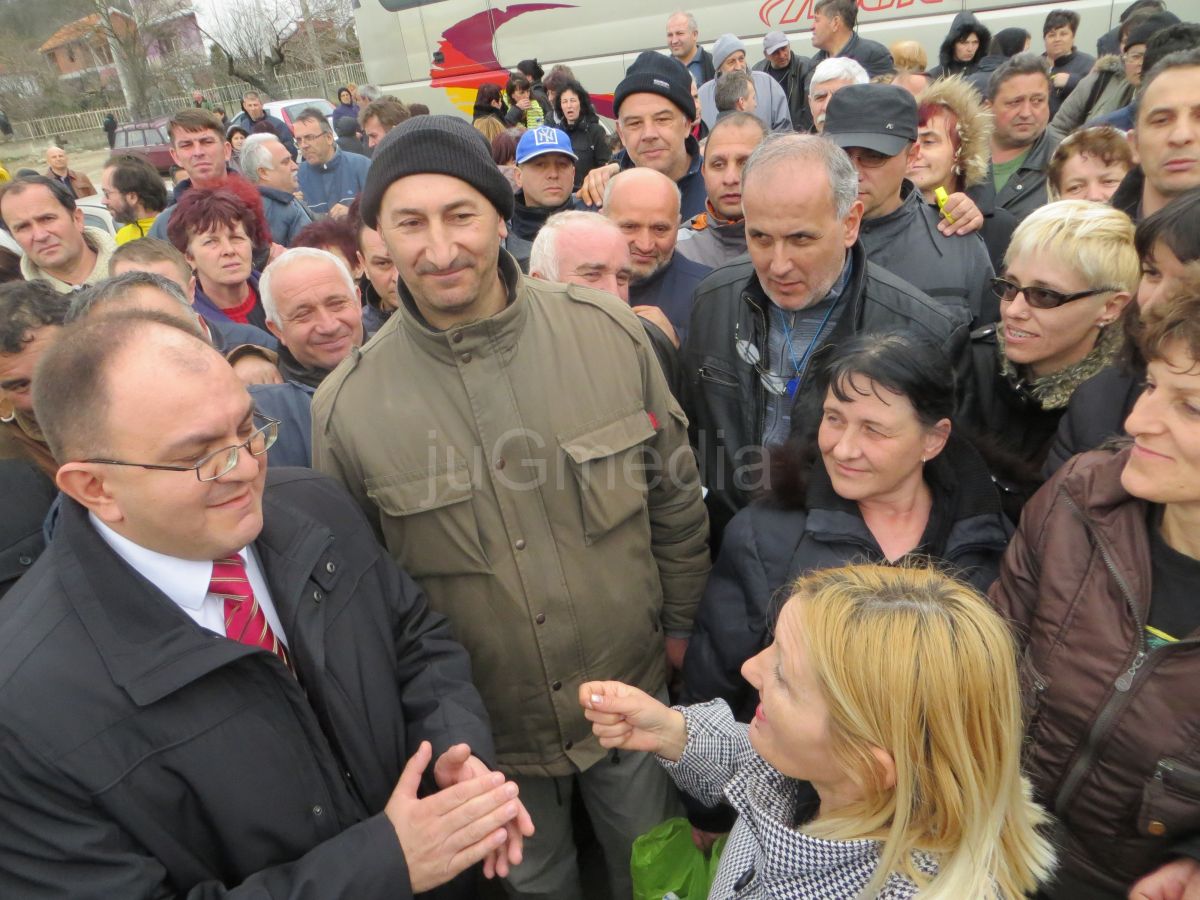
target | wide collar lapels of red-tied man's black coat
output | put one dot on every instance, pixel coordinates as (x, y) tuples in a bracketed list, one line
[(153, 649)]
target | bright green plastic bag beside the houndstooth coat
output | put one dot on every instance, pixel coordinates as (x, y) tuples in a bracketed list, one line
[(667, 862)]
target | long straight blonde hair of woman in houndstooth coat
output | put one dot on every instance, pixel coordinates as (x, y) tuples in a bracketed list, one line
[(919, 664)]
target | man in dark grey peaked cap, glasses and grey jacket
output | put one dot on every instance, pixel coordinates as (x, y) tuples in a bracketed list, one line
[(877, 125)]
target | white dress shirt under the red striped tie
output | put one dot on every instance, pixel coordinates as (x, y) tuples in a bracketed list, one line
[(187, 581)]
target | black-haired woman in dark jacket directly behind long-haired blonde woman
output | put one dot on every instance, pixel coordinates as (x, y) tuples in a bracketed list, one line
[(884, 482)]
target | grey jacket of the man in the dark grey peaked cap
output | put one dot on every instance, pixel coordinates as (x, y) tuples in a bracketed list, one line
[(950, 269)]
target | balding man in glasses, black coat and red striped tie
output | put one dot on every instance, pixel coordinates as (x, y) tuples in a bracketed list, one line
[(215, 683)]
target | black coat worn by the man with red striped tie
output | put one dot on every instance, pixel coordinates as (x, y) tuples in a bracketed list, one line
[(142, 755)]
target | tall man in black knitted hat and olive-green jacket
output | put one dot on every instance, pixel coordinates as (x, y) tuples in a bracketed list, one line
[(519, 452)]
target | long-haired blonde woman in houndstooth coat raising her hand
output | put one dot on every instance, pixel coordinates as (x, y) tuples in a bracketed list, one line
[(884, 759)]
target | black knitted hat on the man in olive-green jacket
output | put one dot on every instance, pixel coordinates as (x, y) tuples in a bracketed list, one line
[(437, 145)]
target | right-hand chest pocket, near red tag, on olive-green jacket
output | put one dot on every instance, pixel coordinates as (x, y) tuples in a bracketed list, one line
[(610, 467)]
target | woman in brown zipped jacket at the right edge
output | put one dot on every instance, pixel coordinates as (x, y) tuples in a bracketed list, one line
[(1100, 584)]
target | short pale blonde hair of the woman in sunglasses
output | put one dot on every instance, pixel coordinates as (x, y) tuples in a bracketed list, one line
[(1090, 238)]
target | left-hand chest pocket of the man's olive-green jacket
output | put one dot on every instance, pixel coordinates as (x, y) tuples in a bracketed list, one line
[(429, 523)]
